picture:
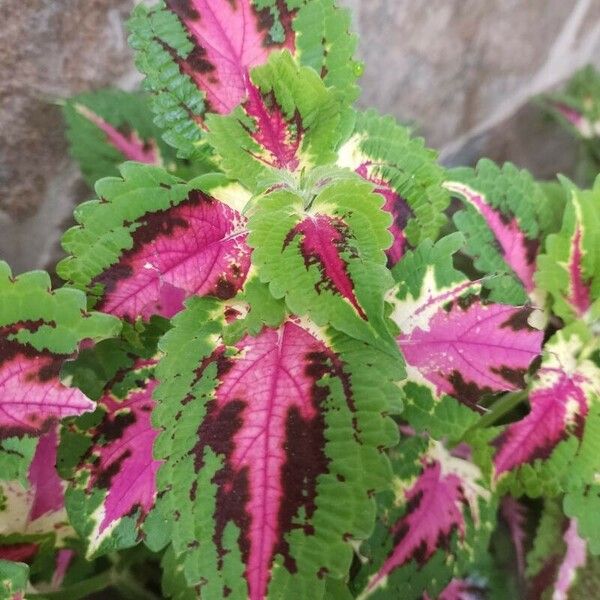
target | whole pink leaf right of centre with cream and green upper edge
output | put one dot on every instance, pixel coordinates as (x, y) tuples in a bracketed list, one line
[(450, 337)]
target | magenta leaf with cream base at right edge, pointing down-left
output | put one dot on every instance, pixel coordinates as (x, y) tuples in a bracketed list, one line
[(560, 400)]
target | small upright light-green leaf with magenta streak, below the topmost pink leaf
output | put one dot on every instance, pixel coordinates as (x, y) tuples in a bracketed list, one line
[(290, 122)]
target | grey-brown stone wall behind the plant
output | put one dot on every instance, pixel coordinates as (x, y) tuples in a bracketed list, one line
[(461, 71)]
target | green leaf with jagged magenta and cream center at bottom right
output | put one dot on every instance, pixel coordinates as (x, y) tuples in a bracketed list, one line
[(431, 526)]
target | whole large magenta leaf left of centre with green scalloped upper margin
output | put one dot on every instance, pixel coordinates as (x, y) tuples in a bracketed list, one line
[(153, 241)]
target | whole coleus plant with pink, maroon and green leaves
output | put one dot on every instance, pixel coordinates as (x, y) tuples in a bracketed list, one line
[(294, 357)]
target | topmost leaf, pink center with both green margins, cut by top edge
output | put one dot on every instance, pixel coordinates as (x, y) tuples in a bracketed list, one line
[(197, 55)]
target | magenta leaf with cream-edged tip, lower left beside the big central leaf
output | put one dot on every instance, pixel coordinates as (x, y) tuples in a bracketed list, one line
[(114, 485)]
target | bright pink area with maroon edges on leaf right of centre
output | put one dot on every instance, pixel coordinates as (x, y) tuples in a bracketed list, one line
[(469, 348)]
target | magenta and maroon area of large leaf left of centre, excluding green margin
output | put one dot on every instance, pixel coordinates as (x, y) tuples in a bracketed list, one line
[(196, 248)]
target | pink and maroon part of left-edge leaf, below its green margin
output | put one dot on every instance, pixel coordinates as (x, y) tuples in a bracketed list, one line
[(32, 397)]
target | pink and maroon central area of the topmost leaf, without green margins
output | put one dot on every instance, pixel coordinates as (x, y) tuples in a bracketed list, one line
[(230, 37)]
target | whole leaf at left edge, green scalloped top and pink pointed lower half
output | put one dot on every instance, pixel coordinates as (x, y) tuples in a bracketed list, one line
[(39, 329)]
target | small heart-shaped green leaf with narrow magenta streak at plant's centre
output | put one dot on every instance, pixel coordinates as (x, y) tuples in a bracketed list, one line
[(325, 257)]
